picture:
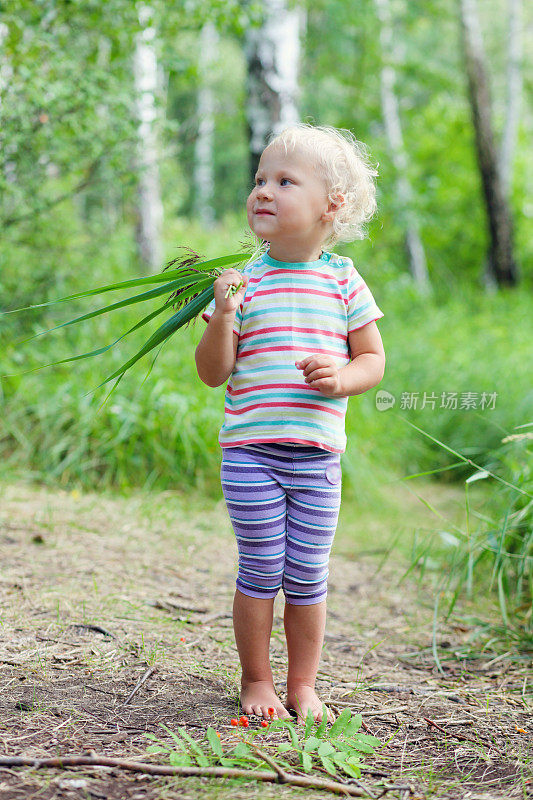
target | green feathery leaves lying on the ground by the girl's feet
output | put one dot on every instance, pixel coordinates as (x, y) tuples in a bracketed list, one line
[(340, 748)]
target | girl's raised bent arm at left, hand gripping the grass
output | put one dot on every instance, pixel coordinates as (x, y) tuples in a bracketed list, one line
[(217, 350)]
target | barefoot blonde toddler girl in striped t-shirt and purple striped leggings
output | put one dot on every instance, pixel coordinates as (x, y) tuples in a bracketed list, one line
[(296, 340)]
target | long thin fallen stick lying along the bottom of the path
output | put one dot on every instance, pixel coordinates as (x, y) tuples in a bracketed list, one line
[(279, 776)]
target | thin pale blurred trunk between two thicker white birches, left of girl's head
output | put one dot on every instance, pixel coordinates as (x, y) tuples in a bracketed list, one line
[(204, 170)]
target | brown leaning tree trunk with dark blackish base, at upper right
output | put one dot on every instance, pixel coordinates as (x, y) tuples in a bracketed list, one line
[(501, 264)]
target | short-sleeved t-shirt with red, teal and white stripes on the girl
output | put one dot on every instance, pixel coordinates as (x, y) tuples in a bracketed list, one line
[(290, 311)]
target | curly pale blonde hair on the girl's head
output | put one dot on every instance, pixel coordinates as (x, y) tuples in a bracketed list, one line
[(344, 164)]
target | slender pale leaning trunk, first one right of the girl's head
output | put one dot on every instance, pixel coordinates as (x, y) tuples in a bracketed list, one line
[(393, 128)]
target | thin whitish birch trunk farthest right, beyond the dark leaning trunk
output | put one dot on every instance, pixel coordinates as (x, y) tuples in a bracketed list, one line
[(514, 92)]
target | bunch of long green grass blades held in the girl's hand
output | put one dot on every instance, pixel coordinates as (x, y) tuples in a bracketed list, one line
[(187, 282)]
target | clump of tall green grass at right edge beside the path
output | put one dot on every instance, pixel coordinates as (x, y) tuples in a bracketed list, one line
[(491, 558)]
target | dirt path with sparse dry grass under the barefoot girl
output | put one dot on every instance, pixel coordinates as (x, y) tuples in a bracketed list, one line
[(156, 575)]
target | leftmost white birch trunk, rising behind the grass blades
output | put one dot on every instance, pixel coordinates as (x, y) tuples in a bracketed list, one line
[(150, 208)]
